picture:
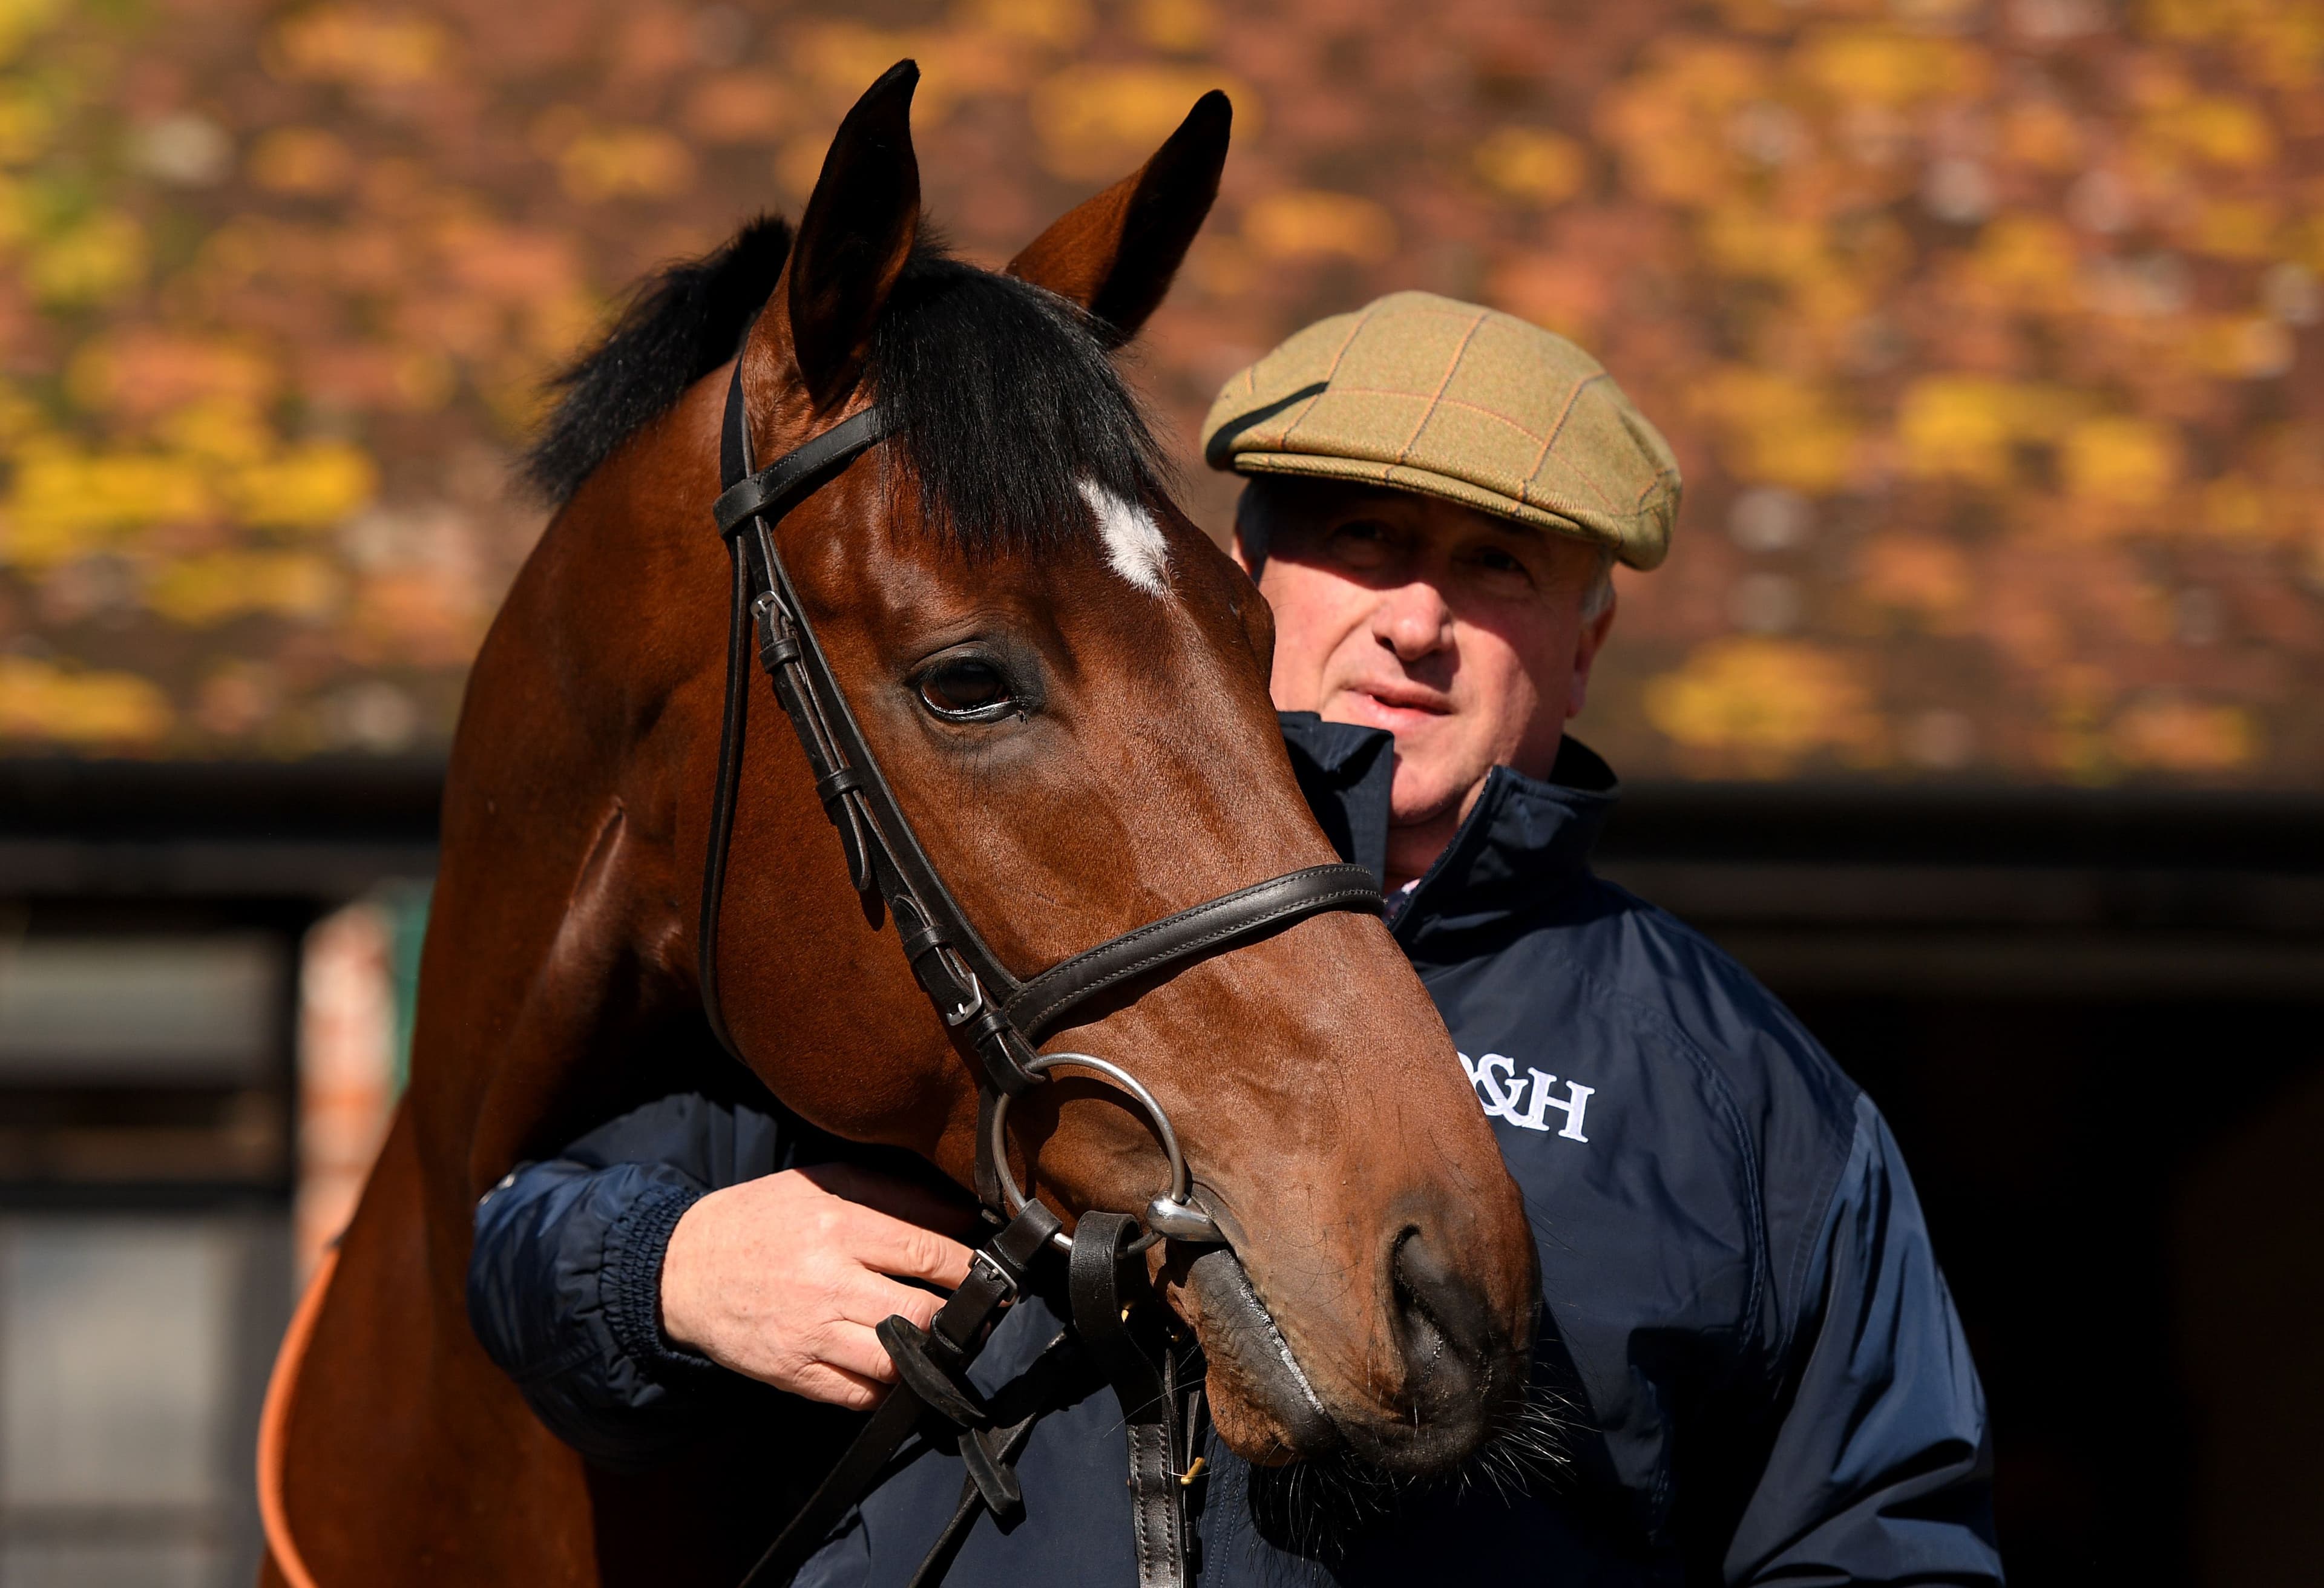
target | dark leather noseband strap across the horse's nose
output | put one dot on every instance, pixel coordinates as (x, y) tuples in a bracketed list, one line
[(1228, 922)]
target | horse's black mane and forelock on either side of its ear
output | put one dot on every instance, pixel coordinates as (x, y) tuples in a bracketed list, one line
[(1003, 396)]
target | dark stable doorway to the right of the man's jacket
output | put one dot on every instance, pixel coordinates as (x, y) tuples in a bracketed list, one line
[(2128, 1199)]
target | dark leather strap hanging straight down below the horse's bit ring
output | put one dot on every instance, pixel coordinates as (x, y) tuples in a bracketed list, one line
[(1138, 1359)]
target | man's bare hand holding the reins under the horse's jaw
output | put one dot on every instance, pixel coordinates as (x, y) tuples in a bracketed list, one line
[(784, 1278)]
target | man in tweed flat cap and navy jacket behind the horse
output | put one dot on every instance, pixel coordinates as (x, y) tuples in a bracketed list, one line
[(1746, 1359)]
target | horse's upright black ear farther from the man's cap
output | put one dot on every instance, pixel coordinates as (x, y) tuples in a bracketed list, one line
[(856, 236)]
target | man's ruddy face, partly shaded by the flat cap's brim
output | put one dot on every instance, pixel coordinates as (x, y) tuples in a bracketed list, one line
[(1456, 631)]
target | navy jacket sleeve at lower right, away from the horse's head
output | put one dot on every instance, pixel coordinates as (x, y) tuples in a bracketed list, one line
[(1881, 1464)]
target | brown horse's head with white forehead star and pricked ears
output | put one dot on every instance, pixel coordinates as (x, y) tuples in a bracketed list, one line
[(1066, 685)]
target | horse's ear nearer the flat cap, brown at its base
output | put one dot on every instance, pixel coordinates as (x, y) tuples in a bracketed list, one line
[(1117, 252)]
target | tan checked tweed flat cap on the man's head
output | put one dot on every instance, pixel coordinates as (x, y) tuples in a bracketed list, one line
[(1456, 401)]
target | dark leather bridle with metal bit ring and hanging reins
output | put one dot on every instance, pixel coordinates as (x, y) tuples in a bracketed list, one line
[(1000, 1020)]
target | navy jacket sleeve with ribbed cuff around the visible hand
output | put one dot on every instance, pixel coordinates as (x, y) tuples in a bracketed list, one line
[(564, 1285)]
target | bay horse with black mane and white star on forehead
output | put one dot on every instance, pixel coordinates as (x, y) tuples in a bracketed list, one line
[(1014, 545)]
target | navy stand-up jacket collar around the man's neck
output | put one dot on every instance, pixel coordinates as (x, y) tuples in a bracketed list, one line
[(1521, 847)]
